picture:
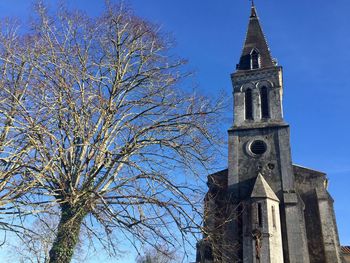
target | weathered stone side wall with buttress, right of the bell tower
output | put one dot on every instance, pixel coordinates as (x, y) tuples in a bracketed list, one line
[(319, 216)]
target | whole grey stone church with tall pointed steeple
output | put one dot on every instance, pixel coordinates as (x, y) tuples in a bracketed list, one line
[(264, 208)]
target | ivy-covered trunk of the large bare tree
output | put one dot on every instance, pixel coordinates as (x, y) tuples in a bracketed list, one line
[(67, 234)]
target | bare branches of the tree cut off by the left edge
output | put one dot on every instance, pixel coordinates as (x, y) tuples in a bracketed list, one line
[(15, 75)]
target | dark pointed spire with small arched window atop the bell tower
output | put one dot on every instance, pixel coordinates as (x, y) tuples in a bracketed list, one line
[(255, 42)]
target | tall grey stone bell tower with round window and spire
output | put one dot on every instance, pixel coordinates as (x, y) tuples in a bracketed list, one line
[(259, 150)]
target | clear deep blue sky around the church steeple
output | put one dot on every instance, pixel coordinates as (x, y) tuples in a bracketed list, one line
[(310, 39)]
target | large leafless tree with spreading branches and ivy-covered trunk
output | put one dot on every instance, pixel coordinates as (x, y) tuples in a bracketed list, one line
[(114, 137)]
